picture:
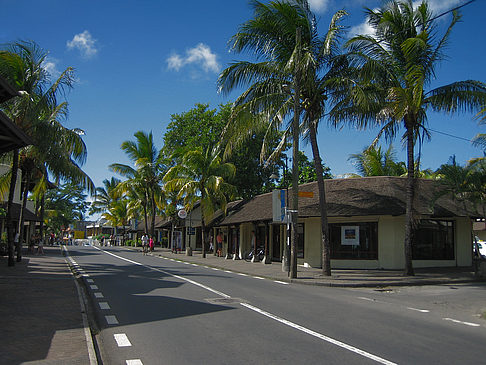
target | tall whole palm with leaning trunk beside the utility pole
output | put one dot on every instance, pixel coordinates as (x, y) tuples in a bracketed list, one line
[(308, 58)]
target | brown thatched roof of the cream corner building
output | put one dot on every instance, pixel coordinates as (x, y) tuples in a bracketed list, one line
[(370, 196)]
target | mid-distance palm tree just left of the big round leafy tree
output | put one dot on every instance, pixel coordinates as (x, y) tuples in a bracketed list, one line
[(143, 180)]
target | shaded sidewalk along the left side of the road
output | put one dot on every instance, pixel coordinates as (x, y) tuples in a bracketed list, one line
[(41, 321)]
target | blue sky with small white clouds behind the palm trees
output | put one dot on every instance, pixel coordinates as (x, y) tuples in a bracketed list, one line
[(139, 61)]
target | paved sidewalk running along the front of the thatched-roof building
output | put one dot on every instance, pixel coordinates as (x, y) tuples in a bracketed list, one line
[(339, 278)]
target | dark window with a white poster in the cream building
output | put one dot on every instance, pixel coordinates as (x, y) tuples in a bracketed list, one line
[(354, 240)]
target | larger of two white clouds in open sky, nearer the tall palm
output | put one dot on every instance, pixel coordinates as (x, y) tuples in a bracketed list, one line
[(200, 55)]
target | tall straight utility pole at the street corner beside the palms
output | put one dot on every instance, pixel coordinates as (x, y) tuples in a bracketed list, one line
[(295, 158)]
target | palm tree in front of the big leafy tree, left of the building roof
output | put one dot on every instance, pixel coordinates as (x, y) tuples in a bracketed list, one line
[(200, 177)]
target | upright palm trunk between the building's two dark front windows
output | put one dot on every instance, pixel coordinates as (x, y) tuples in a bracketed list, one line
[(409, 203)]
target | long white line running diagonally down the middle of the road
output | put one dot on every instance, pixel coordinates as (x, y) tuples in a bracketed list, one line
[(269, 315)]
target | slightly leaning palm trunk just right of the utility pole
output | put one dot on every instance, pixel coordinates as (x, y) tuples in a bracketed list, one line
[(326, 254)]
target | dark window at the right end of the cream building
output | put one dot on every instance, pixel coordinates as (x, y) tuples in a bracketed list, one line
[(433, 240)]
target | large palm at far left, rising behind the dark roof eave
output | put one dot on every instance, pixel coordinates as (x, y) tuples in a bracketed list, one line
[(35, 112)]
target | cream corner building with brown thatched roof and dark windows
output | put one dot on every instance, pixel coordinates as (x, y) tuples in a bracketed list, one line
[(366, 225)]
